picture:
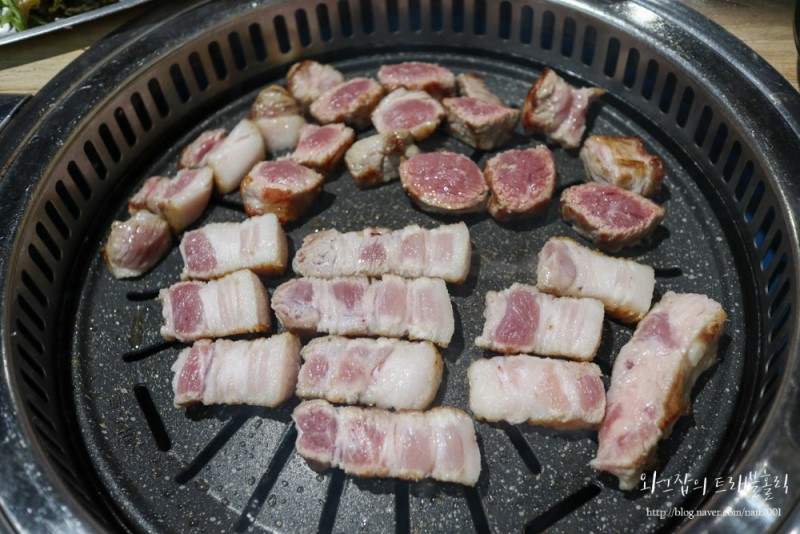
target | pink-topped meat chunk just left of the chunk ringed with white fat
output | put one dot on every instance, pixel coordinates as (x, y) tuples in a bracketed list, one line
[(351, 102)]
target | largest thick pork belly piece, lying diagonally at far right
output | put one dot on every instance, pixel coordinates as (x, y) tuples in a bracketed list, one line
[(652, 380)]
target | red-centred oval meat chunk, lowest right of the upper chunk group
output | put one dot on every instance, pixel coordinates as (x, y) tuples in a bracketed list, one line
[(609, 216)]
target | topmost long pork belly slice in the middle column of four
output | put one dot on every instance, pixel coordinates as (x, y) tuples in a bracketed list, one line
[(442, 252)]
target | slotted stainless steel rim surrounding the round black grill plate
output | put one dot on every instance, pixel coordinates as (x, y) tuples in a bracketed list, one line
[(112, 118)]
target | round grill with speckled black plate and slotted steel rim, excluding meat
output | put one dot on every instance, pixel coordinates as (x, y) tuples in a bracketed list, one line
[(90, 438)]
